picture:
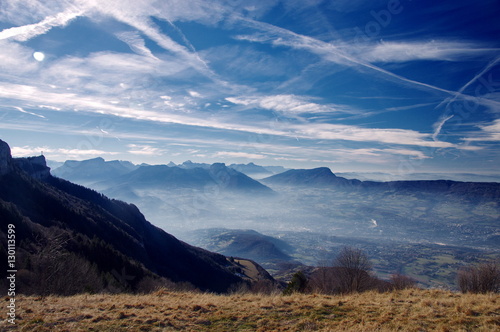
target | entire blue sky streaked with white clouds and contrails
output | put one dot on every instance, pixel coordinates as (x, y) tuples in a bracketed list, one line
[(395, 86)]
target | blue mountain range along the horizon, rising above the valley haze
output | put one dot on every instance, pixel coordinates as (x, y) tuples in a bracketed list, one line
[(103, 175)]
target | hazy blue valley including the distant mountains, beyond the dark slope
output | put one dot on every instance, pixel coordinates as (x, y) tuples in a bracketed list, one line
[(425, 228)]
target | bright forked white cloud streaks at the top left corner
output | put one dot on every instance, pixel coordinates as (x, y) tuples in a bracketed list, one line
[(134, 13)]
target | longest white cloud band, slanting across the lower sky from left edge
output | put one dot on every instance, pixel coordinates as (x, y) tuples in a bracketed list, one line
[(304, 131)]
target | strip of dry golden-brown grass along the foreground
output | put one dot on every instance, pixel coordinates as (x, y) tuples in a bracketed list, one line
[(408, 310)]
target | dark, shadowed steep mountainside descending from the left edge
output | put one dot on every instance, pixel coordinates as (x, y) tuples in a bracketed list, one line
[(66, 232)]
